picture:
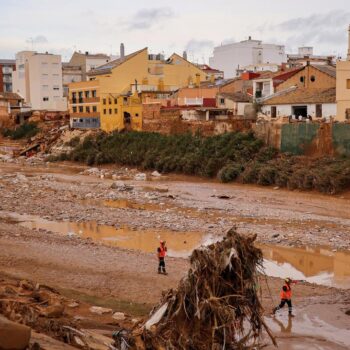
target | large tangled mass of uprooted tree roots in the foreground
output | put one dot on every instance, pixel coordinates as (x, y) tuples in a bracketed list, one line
[(216, 305)]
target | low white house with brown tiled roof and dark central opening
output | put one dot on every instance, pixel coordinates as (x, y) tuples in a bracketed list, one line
[(300, 101)]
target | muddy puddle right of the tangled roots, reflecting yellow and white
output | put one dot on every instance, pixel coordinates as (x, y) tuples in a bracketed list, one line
[(316, 265)]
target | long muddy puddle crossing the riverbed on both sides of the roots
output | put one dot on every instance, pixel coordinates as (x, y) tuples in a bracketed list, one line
[(316, 265)]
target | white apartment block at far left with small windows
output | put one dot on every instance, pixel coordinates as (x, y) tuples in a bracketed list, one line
[(38, 79)]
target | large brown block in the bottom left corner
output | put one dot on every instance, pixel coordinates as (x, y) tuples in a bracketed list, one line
[(13, 336)]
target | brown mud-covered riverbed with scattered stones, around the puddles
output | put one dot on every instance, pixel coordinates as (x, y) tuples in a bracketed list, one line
[(126, 279)]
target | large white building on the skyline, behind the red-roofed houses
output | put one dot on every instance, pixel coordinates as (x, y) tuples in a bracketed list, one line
[(232, 57)]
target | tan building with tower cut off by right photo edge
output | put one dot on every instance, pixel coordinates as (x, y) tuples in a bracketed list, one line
[(343, 87)]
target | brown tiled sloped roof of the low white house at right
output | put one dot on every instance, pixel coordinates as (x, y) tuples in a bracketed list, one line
[(303, 96)]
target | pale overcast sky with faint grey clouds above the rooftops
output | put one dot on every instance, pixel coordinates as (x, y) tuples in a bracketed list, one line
[(170, 26)]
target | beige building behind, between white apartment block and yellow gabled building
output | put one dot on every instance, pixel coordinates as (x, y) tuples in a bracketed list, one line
[(87, 61)]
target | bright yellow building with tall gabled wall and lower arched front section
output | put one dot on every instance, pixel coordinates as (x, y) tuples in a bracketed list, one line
[(121, 80)]
